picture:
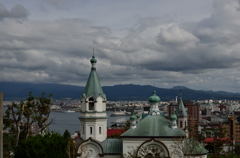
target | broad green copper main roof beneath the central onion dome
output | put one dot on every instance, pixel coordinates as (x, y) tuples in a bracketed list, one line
[(157, 126)]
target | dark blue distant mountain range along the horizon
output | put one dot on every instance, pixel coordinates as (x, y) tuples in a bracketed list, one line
[(16, 90)]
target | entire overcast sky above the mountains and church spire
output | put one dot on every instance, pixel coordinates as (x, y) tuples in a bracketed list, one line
[(190, 43)]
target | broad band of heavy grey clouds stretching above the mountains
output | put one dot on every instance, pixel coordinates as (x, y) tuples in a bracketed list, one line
[(153, 50)]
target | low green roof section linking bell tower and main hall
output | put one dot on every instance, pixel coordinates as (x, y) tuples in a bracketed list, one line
[(112, 146)]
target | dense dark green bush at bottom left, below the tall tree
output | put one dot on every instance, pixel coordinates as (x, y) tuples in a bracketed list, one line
[(51, 145)]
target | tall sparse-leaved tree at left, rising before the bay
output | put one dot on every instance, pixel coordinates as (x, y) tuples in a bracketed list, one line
[(34, 112)]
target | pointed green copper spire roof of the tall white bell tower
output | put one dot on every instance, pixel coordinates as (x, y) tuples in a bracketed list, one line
[(93, 87)]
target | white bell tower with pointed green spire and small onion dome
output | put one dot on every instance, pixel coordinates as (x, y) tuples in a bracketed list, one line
[(93, 116)]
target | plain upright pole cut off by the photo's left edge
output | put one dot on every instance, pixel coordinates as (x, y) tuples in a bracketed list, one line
[(1, 125)]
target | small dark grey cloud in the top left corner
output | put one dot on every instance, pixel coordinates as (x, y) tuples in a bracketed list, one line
[(18, 11)]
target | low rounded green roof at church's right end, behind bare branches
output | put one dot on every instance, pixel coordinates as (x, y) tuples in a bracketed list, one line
[(193, 147)]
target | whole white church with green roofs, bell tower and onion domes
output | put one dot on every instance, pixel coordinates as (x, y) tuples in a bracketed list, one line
[(152, 136)]
